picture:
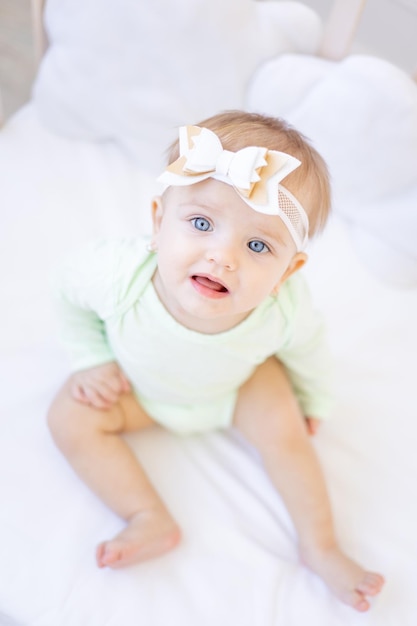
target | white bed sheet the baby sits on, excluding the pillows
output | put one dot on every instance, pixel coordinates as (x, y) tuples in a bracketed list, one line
[(237, 563)]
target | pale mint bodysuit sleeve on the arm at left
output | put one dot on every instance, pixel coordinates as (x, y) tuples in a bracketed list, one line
[(89, 289)]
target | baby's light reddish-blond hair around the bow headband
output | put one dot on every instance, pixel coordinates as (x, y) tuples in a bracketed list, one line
[(309, 183)]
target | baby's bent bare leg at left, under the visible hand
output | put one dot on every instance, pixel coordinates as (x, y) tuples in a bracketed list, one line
[(90, 439)]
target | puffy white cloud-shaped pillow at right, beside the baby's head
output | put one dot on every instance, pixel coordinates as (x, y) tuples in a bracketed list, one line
[(361, 114)]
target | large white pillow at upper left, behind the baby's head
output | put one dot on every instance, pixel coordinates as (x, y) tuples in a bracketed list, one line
[(145, 67)]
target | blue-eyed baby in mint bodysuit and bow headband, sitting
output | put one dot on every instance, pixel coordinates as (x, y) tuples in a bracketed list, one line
[(205, 326)]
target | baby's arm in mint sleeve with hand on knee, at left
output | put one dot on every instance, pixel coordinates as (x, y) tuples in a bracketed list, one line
[(89, 289)]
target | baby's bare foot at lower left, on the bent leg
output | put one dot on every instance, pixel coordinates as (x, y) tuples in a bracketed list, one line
[(149, 534)]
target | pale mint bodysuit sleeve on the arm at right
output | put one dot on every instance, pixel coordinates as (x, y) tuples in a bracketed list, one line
[(305, 352)]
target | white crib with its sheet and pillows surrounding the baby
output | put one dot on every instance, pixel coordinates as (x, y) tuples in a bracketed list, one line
[(79, 162)]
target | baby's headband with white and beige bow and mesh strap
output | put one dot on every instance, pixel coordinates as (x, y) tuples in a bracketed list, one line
[(254, 172)]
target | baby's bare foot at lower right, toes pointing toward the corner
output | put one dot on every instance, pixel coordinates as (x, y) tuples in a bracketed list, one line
[(348, 580)]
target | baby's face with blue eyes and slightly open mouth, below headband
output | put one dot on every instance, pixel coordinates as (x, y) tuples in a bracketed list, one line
[(217, 258)]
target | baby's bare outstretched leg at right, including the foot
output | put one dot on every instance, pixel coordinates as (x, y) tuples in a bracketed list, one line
[(268, 415)]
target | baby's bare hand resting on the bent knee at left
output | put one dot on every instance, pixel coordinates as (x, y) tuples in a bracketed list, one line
[(100, 386)]
